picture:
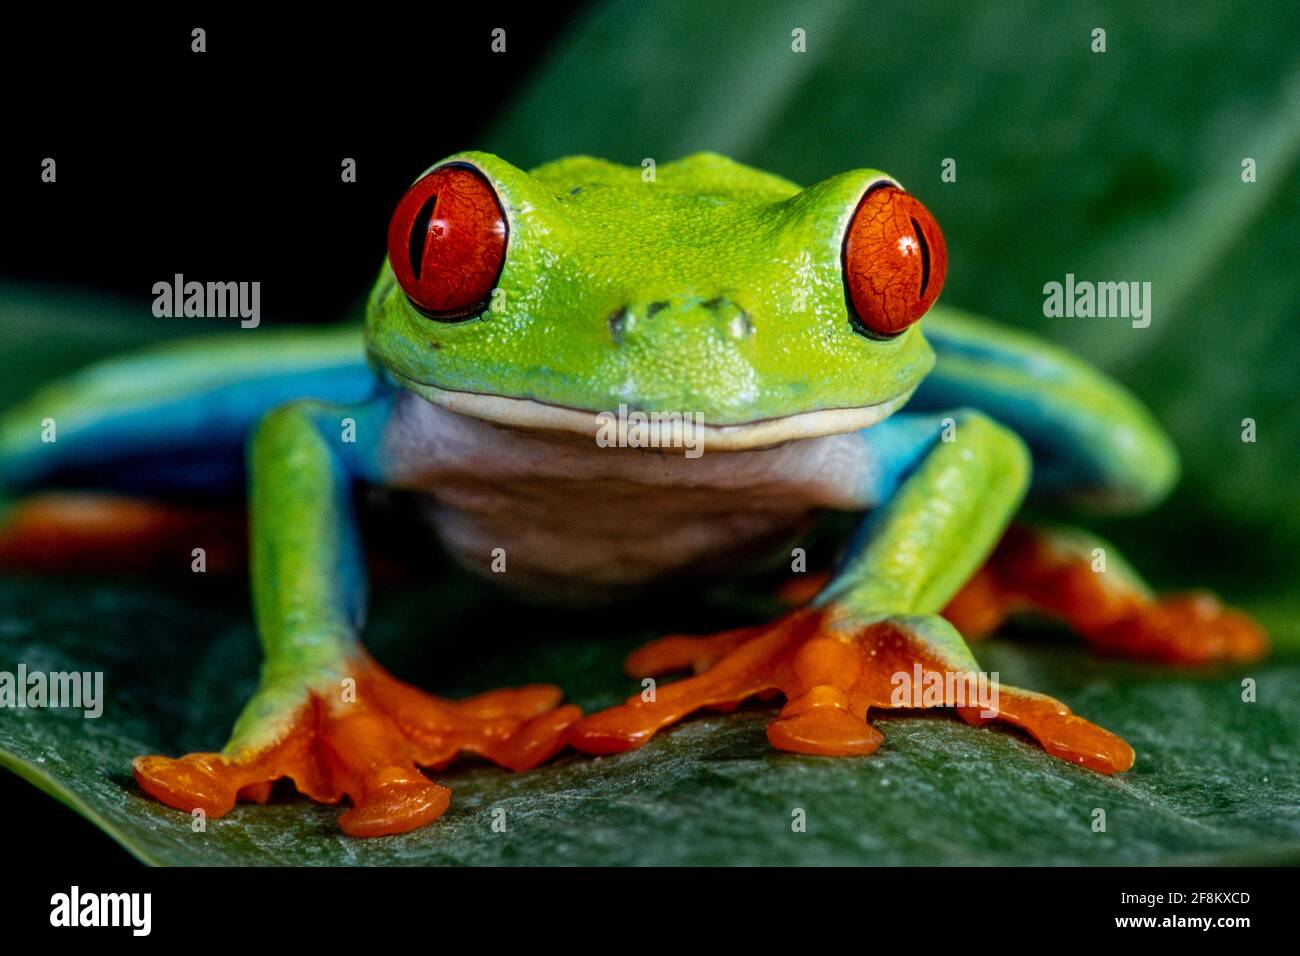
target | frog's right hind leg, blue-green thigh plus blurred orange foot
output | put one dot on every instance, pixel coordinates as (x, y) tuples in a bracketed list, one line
[(1094, 445)]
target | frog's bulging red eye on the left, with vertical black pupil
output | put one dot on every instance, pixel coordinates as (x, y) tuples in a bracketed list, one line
[(448, 243)]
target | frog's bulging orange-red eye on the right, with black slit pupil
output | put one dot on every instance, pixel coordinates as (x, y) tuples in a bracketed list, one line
[(895, 262)]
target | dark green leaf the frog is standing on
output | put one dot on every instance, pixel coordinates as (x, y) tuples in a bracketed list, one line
[(1216, 780)]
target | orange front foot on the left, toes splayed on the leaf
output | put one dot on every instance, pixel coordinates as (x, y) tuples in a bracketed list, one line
[(370, 747)]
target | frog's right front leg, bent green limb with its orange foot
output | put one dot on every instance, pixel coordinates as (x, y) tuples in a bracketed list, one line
[(876, 628)]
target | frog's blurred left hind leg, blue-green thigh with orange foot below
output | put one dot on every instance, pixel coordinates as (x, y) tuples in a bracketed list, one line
[(137, 461)]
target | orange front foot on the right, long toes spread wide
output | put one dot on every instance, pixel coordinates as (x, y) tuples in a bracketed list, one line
[(833, 672)]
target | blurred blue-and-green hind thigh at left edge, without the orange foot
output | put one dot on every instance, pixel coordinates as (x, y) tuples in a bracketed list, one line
[(174, 419)]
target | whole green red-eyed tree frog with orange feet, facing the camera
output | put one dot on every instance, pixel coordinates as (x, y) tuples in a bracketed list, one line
[(790, 335)]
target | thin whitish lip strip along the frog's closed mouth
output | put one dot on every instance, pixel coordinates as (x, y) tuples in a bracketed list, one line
[(656, 434)]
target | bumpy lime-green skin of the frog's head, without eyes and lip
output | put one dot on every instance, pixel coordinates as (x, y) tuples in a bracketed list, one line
[(588, 239)]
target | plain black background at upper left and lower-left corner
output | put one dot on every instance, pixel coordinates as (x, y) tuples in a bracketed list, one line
[(227, 165)]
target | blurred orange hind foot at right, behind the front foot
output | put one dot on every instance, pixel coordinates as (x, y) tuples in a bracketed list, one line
[(1077, 578)]
